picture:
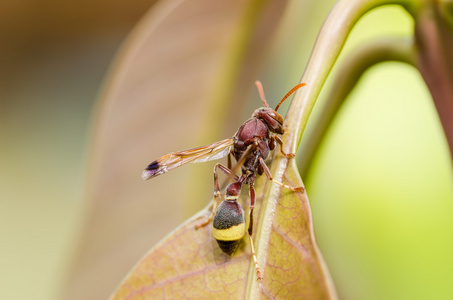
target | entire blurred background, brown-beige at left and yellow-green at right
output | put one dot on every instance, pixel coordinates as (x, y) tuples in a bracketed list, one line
[(380, 186)]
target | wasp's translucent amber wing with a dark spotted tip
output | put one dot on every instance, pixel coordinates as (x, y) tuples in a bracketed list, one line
[(201, 154)]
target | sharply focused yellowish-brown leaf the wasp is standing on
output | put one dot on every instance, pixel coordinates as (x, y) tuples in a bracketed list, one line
[(188, 264)]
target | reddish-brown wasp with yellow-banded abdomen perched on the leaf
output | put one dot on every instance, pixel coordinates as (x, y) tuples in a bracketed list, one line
[(250, 146)]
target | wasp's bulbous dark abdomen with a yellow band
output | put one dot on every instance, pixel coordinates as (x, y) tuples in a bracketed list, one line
[(228, 225)]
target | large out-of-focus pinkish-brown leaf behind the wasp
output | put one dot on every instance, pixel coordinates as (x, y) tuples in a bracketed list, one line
[(184, 61)]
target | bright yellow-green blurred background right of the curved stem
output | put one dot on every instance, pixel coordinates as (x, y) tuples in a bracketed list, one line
[(381, 185)]
